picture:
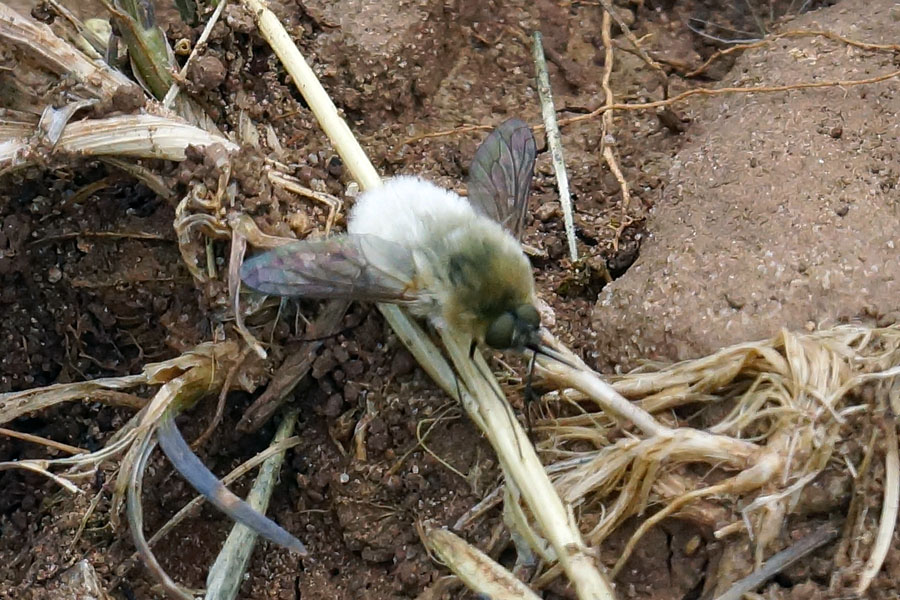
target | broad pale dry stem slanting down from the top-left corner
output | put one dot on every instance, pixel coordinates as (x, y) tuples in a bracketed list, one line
[(58, 55)]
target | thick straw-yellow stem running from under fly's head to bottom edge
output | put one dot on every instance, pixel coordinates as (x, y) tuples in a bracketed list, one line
[(488, 408)]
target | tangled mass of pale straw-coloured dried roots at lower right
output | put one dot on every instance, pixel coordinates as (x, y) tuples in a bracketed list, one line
[(790, 399)]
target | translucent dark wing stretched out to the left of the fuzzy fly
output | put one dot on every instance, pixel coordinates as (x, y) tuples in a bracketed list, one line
[(358, 267)]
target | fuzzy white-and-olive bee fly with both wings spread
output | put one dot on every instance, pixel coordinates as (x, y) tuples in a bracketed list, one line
[(457, 262)]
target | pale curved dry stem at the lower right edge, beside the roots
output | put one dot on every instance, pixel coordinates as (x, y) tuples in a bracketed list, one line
[(889, 506)]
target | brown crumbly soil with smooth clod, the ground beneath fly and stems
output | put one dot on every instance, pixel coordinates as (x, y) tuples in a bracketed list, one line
[(78, 305)]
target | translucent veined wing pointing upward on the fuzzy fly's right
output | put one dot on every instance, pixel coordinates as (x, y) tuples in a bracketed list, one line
[(501, 173)]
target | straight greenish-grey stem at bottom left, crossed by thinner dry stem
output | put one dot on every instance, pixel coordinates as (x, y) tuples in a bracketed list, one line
[(227, 572)]
